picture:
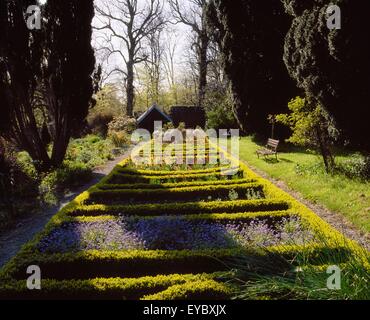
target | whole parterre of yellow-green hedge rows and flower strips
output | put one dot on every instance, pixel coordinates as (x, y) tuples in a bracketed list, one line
[(167, 232)]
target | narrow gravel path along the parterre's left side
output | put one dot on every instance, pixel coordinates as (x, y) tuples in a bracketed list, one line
[(11, 240)]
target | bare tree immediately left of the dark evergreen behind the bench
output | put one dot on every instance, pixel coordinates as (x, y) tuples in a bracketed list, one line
[(194, 16)]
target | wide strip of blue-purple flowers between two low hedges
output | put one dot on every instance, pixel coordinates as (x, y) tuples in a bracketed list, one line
[(164, 233)]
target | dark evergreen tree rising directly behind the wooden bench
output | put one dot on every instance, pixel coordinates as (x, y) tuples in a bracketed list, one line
[(251, 36)]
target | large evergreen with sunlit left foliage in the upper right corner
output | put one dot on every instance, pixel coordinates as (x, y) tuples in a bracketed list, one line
[(333, 66)]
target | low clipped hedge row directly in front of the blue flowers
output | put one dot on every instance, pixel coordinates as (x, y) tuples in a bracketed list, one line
[(138, 263)]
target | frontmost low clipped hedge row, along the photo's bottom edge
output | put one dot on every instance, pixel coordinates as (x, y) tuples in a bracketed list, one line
[(101, 288)]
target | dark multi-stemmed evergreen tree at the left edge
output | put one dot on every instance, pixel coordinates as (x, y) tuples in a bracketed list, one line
[(56, 63)]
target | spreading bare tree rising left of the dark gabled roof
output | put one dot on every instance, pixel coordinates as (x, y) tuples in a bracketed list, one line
[(125, 25)]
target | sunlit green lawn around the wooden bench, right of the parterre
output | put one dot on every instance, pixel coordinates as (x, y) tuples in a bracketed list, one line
[(303, 172)]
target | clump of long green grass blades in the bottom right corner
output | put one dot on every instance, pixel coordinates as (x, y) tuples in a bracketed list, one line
[(279, 278)]
